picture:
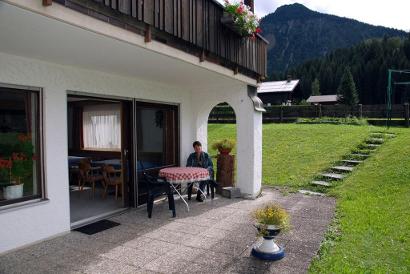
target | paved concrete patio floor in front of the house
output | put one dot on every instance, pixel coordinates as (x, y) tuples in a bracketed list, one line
[(213, 237)]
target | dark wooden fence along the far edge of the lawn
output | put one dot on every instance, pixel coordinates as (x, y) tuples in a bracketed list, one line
[(285, 114)]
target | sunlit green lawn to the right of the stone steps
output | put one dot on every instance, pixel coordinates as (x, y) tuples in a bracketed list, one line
[(373, 220)]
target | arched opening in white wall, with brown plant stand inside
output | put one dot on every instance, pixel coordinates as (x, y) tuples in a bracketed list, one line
[(222, 126)]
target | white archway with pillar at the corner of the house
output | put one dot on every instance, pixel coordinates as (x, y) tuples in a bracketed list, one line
[(248, 128)]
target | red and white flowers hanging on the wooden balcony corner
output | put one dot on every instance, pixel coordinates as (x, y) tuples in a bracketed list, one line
[(239, 18)]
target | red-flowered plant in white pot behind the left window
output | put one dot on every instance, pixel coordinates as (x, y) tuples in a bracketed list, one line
[(17, 168)]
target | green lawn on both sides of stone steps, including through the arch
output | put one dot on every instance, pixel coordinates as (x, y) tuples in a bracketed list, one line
[(371, 233)]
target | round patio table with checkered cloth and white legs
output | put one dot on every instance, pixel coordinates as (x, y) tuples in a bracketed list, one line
[(186, 176)]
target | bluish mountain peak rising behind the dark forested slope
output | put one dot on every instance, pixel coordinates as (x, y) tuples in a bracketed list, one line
[(297, 34)]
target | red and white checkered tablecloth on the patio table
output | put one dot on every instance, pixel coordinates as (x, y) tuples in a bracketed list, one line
[(180, 175)]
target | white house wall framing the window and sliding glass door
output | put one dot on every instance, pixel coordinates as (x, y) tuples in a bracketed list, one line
[(23, 225)]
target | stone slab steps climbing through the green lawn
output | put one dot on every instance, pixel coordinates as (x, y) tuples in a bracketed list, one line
[(345, 166)]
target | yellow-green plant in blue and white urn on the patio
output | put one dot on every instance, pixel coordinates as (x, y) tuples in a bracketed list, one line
[(270, 219)]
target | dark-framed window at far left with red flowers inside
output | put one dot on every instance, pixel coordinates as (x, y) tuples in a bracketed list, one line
[(20, 154)]
